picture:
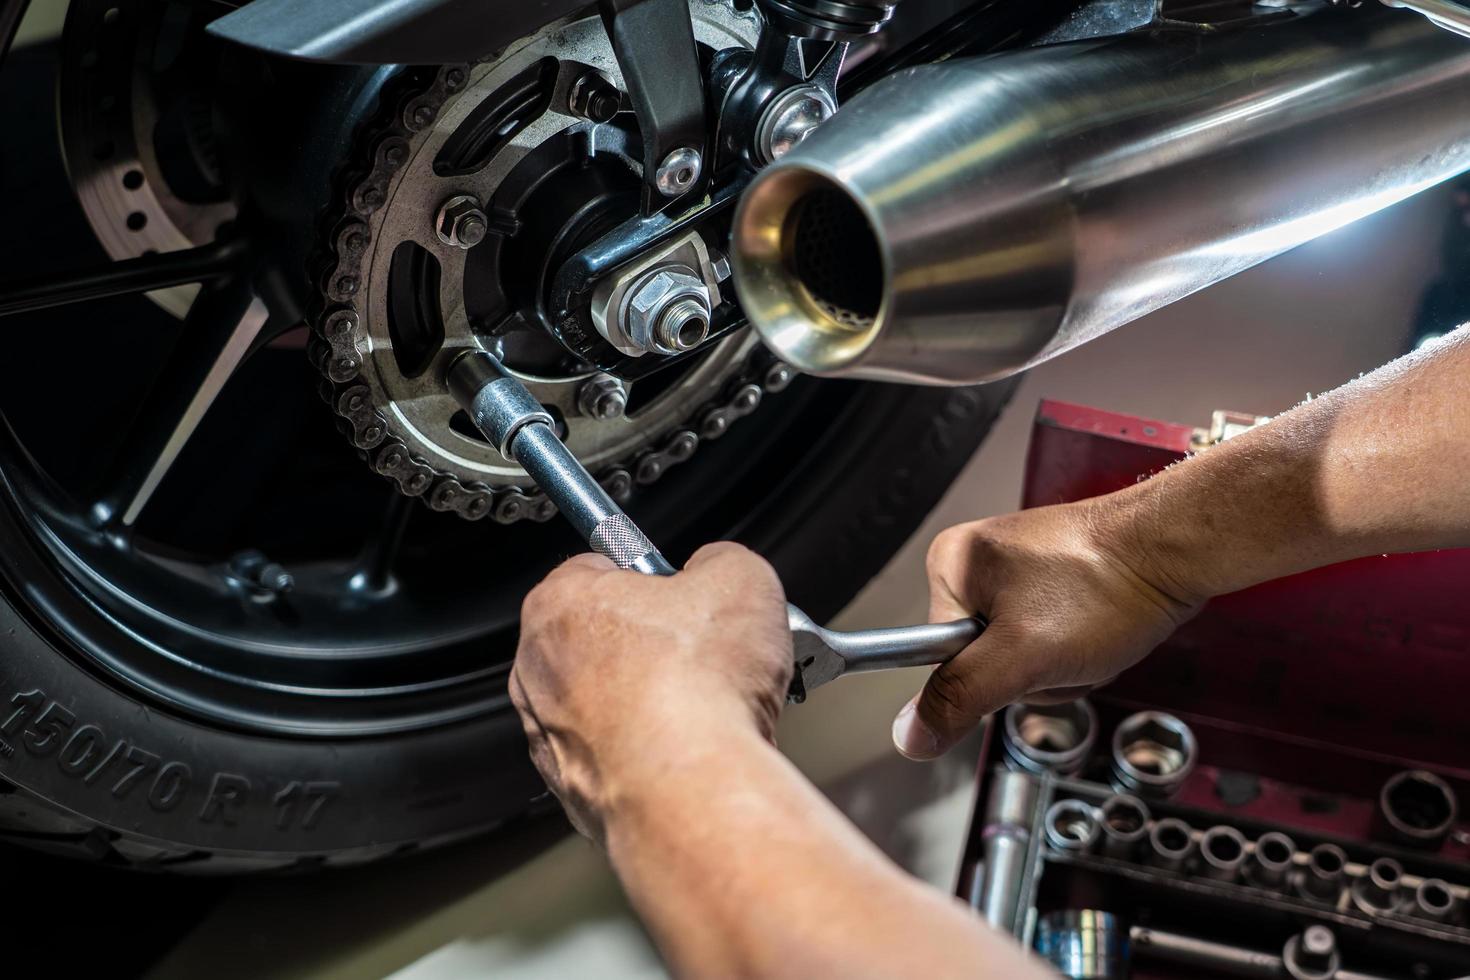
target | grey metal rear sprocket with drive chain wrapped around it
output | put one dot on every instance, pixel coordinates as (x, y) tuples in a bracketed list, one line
[(399, 299)]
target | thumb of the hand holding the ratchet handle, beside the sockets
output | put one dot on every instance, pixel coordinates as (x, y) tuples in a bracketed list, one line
[(986, 677)]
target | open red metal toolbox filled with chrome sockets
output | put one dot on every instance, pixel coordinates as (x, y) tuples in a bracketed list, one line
[(1274, 794)]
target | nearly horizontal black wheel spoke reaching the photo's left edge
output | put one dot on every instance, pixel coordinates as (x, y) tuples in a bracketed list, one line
[(205, 264)]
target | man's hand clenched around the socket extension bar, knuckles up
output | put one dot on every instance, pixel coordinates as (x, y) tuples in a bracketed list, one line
[(621, 678)]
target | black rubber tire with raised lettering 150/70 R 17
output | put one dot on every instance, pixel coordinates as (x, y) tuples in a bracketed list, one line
[(212, 800)]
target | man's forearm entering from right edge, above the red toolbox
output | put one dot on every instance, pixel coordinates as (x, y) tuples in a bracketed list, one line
[(1377, 466)]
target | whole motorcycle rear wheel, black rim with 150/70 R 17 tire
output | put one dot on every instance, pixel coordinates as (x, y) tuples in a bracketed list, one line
[(140, 719)]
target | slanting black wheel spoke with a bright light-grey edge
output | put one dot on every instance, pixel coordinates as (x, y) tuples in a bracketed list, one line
[(220, 333)]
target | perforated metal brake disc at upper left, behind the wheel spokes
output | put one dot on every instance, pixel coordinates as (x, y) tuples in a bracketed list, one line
[(136, 130)]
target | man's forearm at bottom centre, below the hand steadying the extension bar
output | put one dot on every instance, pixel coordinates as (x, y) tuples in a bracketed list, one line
[(740, 868)]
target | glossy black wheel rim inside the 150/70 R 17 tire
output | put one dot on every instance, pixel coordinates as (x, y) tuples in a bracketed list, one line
[(170, 608)]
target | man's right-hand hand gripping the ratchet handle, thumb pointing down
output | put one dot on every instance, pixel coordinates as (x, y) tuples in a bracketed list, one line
[(1069, 608)]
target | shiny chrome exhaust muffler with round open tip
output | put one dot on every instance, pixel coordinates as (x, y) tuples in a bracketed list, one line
[(962, 223)]
